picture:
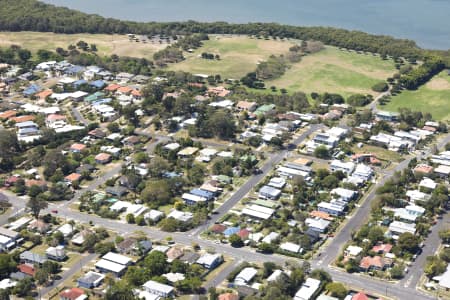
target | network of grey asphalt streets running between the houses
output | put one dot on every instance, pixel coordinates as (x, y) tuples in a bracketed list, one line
[(406, 289)]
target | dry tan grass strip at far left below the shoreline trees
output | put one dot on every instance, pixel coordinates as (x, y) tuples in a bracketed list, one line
[(106, 44)]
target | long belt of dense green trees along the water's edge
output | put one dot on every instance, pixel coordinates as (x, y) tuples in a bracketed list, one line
[(32, 15)]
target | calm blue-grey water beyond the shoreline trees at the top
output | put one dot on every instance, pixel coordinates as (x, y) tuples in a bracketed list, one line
[(425, 21)]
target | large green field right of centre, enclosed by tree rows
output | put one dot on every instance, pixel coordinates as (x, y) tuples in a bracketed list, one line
[(336, 71)]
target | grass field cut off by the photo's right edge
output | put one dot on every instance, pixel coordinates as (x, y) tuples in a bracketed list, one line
[(433, 97)]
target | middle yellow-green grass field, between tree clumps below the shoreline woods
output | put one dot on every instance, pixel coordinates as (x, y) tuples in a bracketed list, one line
[(239, 55)]
